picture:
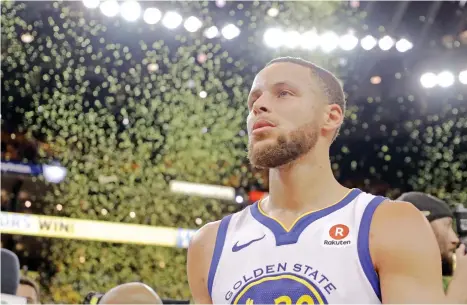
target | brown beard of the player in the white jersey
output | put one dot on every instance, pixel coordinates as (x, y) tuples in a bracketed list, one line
[(285, 149)]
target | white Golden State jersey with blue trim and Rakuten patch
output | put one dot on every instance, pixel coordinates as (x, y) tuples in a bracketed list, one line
[(324, 258)]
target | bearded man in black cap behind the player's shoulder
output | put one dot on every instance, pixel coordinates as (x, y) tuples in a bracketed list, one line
[(440, 217)]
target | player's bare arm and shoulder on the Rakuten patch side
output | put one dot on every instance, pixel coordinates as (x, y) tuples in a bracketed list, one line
[(406, 255)]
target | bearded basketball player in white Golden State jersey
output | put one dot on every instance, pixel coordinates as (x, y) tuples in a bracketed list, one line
[(311, 240)]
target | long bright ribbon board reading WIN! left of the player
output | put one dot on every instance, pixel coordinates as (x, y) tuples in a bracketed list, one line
[(106, 231)]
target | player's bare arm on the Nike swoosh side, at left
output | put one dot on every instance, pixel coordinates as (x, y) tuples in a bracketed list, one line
[(199, 261)]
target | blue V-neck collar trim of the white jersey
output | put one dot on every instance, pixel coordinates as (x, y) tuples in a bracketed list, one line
[(284, 237)]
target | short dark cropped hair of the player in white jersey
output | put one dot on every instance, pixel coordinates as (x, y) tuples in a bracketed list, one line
[(328, 82)]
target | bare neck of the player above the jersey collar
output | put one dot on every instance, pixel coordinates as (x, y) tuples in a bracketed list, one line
[(307, 183)]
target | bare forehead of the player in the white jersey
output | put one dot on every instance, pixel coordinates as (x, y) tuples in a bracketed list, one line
[(283, 73)]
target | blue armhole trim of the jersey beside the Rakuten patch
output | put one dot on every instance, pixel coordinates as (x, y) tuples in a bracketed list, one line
[(363, 244)]
